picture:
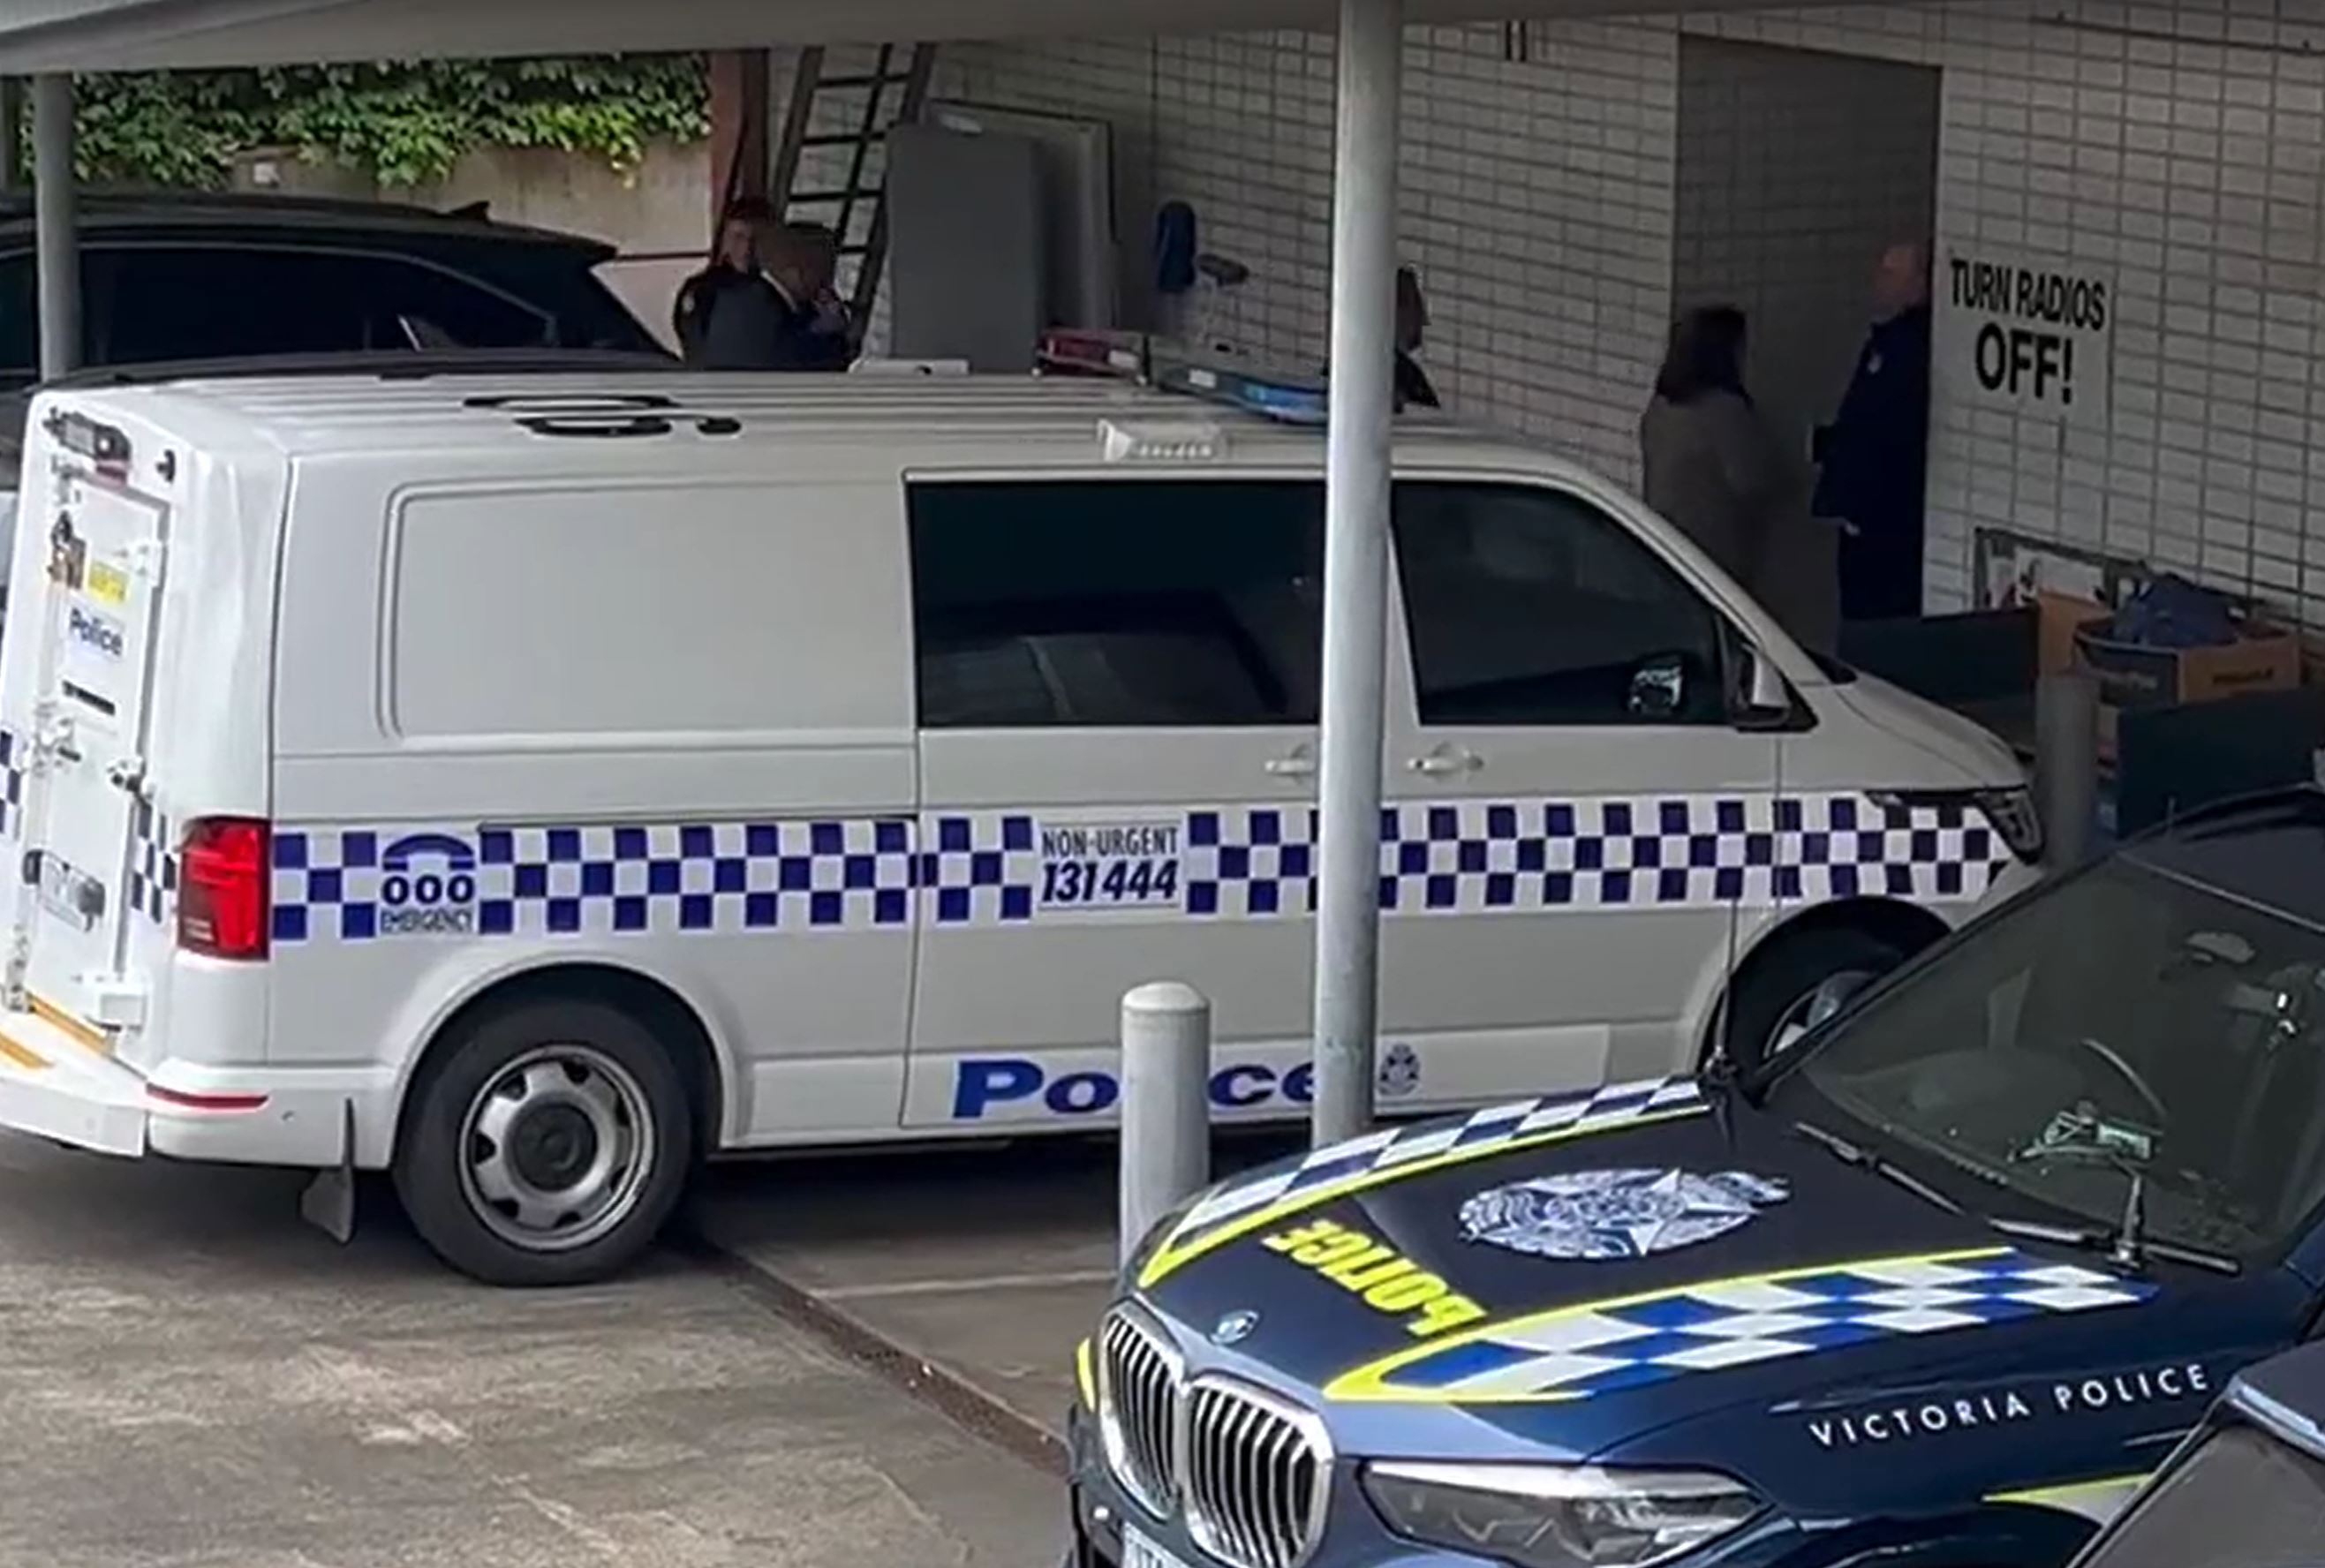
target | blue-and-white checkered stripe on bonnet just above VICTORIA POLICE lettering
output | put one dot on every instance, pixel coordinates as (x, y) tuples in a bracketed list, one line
[(1578, 1353)]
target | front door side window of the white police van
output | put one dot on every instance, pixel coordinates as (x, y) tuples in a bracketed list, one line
[(1533, 607)]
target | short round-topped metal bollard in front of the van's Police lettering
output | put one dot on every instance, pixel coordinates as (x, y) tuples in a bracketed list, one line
[(1166, 1109)]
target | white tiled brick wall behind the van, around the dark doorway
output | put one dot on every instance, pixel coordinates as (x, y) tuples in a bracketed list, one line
[(2182, 148)]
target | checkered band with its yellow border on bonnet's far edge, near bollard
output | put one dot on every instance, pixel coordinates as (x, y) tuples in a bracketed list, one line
[(1375, 1160)]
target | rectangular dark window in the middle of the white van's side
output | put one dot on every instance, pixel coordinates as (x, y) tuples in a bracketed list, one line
[(1117, 603)]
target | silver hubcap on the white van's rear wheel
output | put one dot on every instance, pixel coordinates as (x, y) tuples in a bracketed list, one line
[(557, 1149)]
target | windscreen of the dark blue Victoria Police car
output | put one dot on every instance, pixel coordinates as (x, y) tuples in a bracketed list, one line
[(2122, 1023)]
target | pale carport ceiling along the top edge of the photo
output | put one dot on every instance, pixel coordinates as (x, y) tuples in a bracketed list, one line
[(43, 36)]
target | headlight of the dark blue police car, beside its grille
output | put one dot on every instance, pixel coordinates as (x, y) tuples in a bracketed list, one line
[(1540, 1516)]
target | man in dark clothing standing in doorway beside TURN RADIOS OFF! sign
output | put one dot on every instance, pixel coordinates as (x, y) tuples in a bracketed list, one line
[(1875, 454)]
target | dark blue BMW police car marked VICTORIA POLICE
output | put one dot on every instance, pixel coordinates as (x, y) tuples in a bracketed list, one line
[(1938, 1286)]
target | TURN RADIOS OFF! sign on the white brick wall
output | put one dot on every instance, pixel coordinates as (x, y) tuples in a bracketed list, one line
[(2026, 333)]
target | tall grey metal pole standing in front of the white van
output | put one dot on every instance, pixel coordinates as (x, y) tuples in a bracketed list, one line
[(1357, 561)]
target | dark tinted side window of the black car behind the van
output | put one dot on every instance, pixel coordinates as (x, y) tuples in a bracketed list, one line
[(196, 303)]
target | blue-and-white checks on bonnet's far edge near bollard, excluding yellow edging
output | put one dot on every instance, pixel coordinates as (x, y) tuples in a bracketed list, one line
[(1482, 1132)]
